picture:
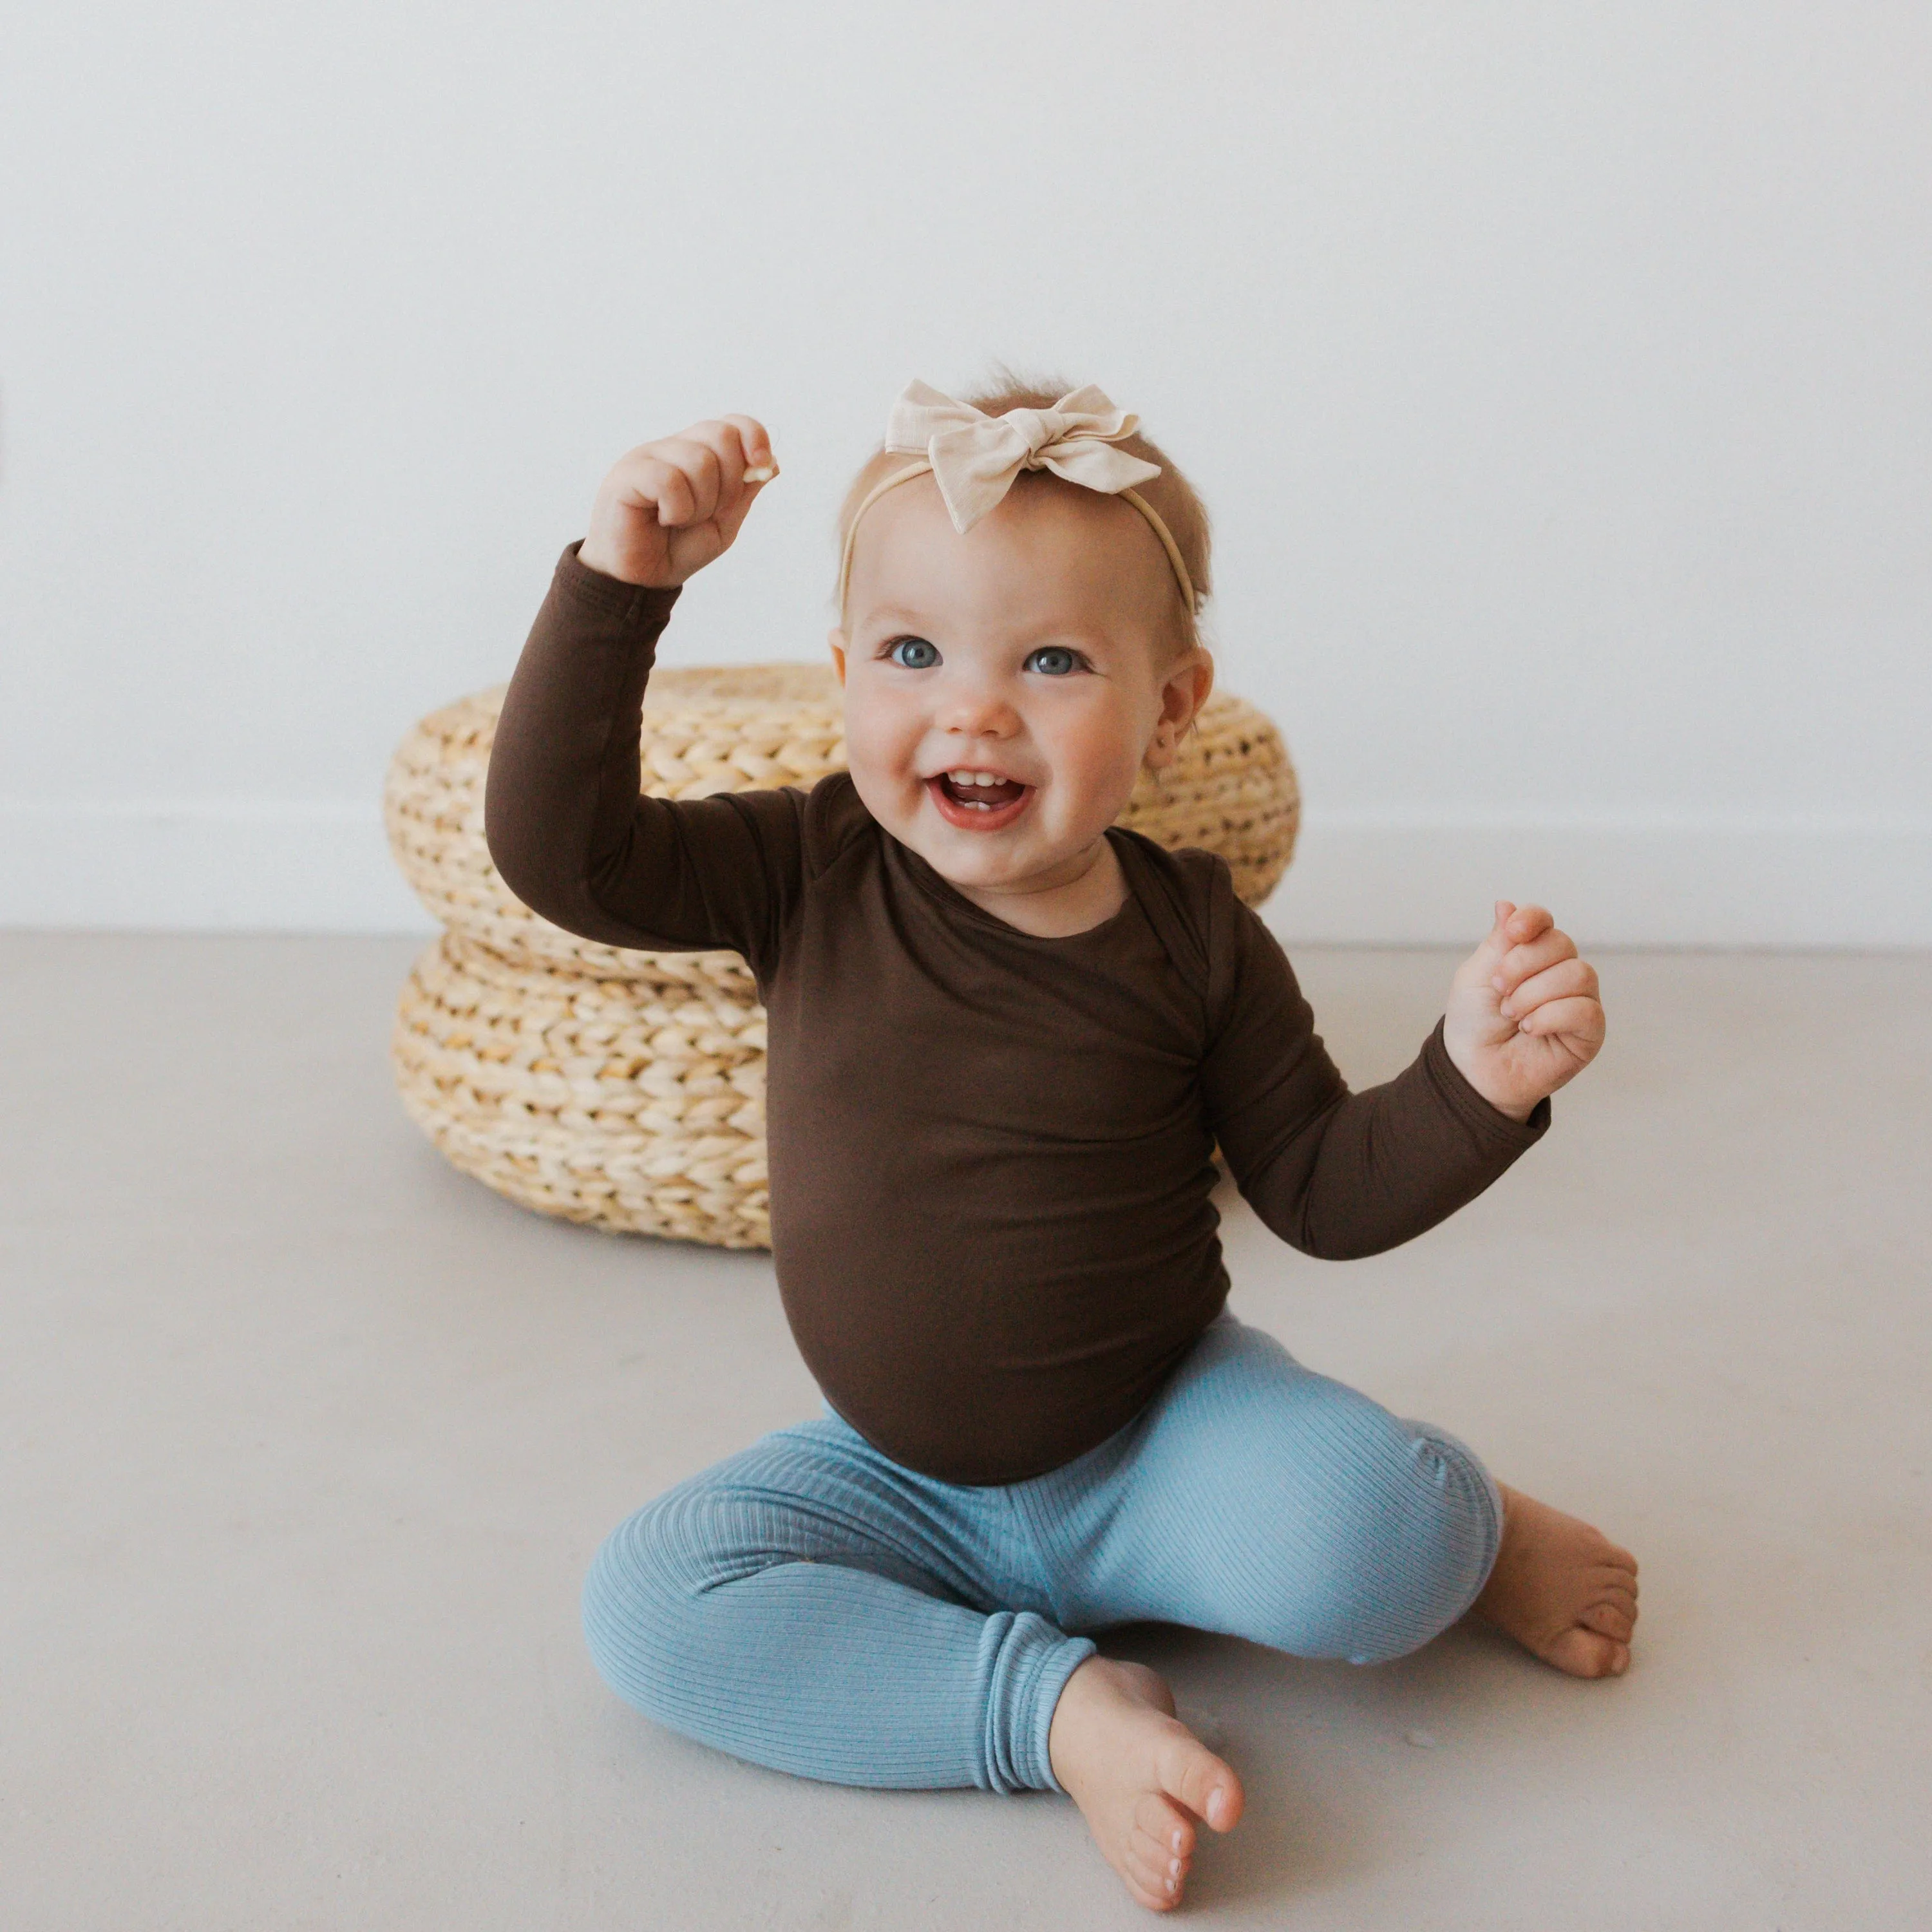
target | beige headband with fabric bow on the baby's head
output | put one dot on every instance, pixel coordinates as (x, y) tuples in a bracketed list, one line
[(975, 457)]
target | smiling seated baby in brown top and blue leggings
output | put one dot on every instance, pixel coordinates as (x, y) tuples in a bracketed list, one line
[(1006, 1042)]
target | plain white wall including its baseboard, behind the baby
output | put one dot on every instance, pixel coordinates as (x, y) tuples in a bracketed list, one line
[(1558, 380)]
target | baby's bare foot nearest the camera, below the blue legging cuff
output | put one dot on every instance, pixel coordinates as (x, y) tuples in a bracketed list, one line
[(1139, 1776)]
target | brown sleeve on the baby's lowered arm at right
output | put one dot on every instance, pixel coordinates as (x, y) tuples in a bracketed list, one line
[(1340, 1174)]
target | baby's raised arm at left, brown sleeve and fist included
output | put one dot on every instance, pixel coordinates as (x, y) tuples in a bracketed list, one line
[(563, 816)]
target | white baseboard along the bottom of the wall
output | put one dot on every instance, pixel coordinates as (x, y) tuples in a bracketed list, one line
[(1357, 880)]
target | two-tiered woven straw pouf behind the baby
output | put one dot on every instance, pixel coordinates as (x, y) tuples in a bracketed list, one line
[(629, 1089)]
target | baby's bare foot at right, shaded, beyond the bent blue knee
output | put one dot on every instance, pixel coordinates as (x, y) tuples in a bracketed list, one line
[(1562, 1589)]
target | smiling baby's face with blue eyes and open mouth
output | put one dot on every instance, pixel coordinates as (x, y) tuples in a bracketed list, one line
[(1037, 652)]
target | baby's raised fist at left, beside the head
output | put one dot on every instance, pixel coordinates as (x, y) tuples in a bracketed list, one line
[(671, 507)]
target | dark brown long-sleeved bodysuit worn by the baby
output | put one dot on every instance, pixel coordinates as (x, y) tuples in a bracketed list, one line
[(990, 1152)]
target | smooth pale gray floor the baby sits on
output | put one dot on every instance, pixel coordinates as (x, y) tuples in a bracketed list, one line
[(308, 1442)]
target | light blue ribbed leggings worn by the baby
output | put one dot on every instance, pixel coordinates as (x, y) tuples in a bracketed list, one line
[(814, 1606)]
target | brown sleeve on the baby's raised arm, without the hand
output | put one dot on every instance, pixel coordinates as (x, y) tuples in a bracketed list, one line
[(565, 824)]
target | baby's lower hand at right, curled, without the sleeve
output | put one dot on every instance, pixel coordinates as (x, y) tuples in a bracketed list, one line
[(1523, 1011)]
